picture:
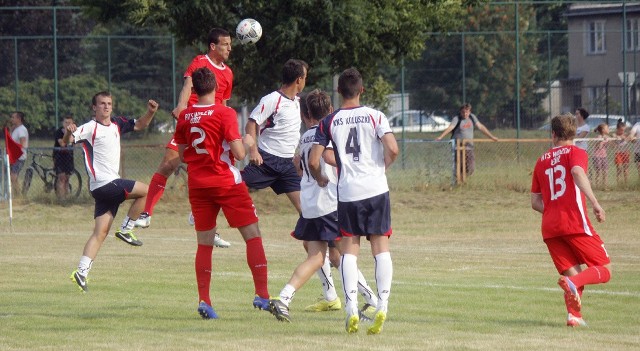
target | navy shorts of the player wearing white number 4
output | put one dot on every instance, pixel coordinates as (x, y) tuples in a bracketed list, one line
[(365, 217)]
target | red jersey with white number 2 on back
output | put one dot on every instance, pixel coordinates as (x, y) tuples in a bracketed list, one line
[(207, 131)]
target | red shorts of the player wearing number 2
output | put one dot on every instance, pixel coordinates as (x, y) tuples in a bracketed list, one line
[(234, 200)]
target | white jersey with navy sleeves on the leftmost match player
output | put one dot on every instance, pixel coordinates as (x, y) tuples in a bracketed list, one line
[(101, 146)]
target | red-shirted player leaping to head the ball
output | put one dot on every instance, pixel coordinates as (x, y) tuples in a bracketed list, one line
[(214, 60)]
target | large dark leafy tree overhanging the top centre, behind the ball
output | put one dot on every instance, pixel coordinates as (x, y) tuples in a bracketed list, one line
[(330, 35)]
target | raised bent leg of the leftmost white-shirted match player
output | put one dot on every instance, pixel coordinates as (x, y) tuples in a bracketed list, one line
[(138, 192)]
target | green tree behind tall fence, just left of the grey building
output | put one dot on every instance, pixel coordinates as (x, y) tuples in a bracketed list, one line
[(435, 80)]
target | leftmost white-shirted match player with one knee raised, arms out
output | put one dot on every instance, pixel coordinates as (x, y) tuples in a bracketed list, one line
[(100, 139)]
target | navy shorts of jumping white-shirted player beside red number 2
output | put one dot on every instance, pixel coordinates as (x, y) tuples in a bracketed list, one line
[(276, 172)]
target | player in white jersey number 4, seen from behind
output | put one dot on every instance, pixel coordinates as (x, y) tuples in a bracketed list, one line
[(364, 147)]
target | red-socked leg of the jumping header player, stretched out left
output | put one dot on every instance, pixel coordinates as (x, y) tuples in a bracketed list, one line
[(167, 166)]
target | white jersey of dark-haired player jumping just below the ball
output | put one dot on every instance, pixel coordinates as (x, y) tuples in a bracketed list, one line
[(278, 119)]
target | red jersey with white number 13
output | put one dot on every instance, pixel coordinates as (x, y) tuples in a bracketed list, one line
[(565, 208)]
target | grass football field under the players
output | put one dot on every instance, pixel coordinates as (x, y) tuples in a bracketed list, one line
[(470, 273)]
